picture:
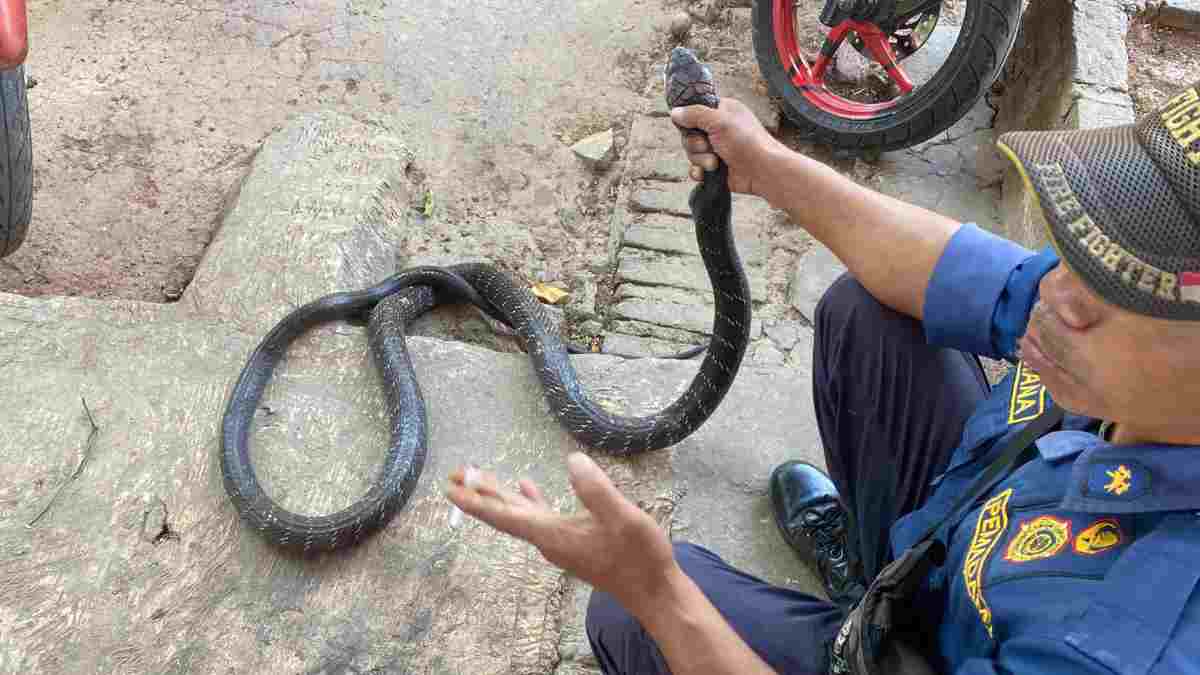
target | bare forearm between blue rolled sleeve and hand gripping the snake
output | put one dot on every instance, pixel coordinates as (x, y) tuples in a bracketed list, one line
[(891, 247)]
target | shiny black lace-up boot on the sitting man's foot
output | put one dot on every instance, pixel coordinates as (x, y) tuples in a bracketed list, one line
[(813, 522)]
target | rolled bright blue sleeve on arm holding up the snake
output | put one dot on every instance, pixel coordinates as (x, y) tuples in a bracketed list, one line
[(981, 294)]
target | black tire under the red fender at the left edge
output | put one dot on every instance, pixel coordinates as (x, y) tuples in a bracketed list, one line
[(16, 162)]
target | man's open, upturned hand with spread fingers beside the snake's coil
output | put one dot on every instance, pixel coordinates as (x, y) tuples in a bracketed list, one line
[(614, 546)]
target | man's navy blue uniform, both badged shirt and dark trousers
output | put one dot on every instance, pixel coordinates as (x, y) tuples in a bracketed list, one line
[(1084, 560)]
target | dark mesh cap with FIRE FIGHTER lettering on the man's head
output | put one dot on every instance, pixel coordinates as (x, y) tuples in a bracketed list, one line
[(1123, 205)]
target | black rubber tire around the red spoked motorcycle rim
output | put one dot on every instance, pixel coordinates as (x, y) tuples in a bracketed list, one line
[(987, 37)]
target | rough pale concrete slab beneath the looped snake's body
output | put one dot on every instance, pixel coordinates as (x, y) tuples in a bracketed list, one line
[(146, 553)]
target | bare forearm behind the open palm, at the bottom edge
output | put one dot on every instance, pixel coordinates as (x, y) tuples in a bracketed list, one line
[(692, 634)]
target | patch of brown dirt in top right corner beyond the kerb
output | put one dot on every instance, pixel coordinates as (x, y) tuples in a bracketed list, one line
[(1161, 61)]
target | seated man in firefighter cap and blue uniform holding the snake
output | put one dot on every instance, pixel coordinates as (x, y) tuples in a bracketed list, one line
[(1084, 559)]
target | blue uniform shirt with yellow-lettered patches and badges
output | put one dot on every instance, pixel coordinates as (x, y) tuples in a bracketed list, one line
[(1084, 560)]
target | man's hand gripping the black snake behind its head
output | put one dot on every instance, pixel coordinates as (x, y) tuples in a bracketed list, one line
[(736, 135)]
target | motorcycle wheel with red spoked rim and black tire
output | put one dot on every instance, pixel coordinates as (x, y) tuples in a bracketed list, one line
[(799, 79)]
